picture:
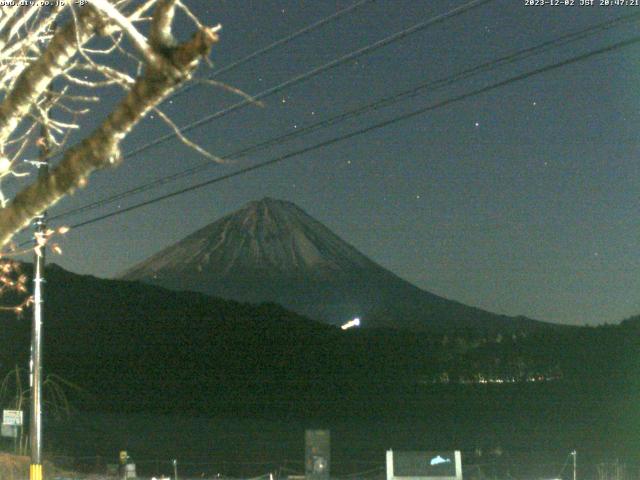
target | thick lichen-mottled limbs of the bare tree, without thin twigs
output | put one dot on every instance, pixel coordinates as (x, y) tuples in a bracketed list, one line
[(102, 148)]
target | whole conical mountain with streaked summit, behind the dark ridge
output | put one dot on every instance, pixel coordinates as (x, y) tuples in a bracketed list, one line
[(271, 250)]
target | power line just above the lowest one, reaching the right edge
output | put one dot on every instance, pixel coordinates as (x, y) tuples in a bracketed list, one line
[(384, 102)]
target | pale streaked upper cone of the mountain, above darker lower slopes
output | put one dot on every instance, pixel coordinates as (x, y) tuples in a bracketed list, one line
[(266, 237)]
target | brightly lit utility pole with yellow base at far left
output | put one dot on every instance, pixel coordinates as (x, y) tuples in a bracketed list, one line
[(40, 229)]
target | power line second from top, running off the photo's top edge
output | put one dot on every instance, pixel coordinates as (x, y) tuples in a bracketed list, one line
[(316, 71)]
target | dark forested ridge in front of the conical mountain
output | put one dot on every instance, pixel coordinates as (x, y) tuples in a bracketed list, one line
[(136, 347)]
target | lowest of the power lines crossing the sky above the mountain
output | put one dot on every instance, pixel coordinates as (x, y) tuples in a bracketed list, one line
[(376, 126)]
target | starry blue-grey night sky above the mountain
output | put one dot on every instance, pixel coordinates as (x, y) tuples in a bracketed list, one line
[(522, 200)]
